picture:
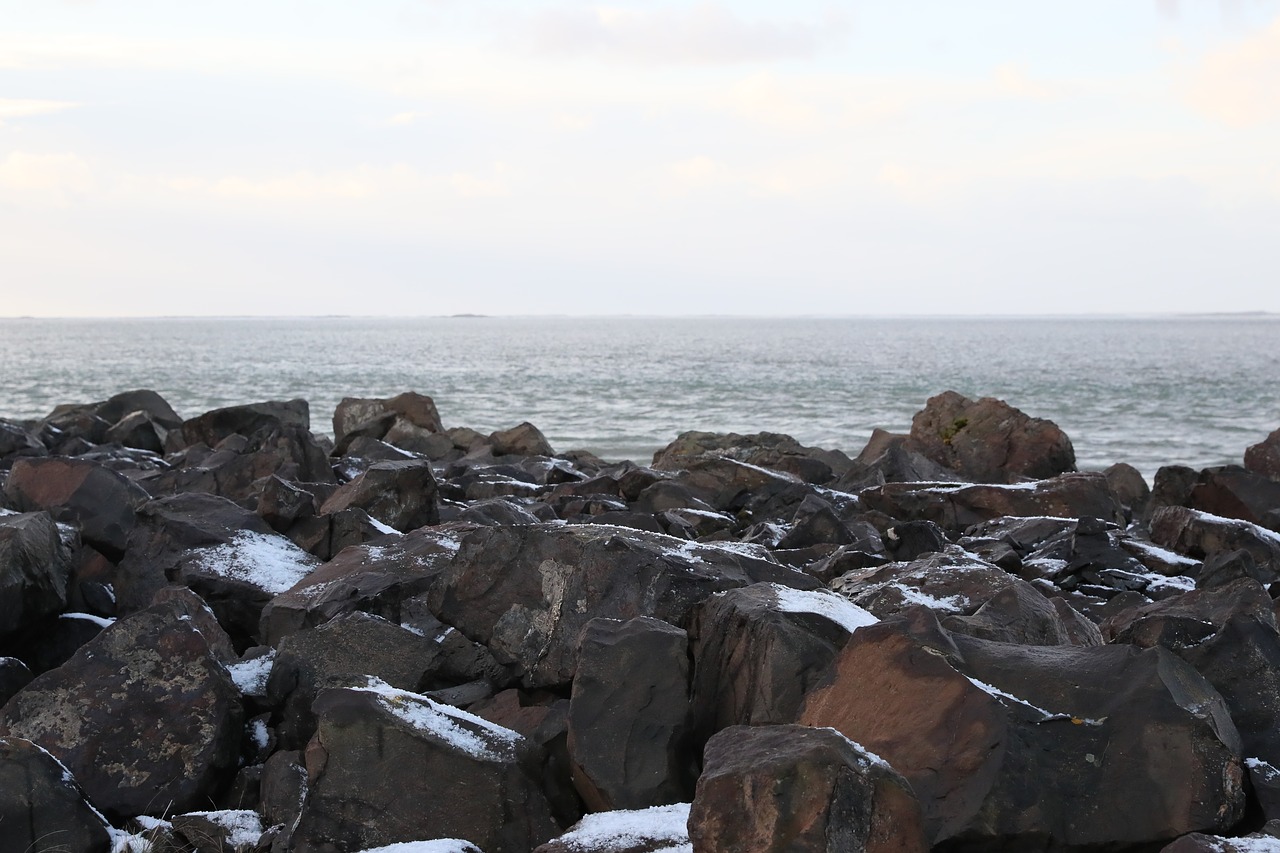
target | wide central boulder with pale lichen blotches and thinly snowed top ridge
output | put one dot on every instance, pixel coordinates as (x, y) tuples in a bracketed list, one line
[(528, 592)]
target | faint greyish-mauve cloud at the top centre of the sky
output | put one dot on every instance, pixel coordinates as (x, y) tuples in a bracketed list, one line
[(707, 34)]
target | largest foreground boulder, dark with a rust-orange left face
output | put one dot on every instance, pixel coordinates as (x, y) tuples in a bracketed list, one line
[(1032, 749)]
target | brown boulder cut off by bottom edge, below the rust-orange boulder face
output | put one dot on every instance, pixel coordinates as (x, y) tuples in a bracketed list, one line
[(794, 790)]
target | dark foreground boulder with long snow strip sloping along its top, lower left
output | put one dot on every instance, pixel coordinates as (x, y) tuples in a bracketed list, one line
[(391, 767)]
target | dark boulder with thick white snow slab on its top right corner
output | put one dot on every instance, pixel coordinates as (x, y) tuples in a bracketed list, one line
[(758, 651)]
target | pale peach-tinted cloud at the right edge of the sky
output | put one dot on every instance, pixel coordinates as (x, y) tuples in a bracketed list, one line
[(1238, 84)]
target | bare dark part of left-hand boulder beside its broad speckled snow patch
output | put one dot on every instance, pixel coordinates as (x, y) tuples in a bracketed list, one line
[(167, 528)]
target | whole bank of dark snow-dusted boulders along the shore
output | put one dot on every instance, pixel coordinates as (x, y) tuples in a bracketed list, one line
[(230, 633)]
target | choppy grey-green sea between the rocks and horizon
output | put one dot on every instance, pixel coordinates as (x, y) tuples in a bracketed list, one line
[(1150, 393)]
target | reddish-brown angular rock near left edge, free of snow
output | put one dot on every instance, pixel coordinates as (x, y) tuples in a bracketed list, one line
[(100, 501)]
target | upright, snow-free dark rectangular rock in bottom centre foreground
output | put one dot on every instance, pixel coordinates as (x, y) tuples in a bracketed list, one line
[(628, 736)]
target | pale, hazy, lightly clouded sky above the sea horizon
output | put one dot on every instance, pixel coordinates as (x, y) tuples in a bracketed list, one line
[(661, 158)]
